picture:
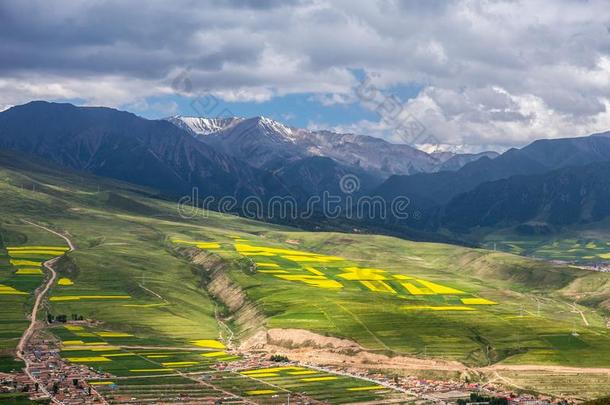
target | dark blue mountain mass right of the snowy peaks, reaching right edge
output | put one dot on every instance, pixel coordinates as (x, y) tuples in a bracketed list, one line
[(518, 186)]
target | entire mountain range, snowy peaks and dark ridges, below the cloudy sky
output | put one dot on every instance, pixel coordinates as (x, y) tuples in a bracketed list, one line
[(550, 182)]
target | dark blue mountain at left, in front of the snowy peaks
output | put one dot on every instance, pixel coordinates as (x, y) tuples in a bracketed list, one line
[(121, 145)]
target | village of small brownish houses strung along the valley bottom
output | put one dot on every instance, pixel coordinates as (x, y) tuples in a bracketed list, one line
[(53, 379)]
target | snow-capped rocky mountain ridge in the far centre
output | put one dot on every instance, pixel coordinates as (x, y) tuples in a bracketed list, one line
[(268, 144)]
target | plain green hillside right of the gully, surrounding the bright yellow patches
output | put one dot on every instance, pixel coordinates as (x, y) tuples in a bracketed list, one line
[(377, 321)]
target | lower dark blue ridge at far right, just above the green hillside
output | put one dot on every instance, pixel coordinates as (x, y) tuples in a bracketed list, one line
[(571, 195)]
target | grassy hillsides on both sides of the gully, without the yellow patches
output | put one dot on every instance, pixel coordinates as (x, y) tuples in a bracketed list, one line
[(123, 242)]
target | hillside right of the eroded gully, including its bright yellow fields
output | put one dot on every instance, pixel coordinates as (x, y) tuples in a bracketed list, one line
[(409, 305)]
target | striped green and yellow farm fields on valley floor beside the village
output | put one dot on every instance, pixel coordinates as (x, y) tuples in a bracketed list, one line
[(202, 370)]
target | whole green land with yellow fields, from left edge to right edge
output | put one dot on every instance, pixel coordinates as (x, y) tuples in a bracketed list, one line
[(142, 273)]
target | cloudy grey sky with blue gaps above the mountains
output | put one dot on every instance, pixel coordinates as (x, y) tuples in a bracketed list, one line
[(470, 75)]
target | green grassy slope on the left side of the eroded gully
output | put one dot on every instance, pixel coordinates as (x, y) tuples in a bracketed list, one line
[(115, 254)]
